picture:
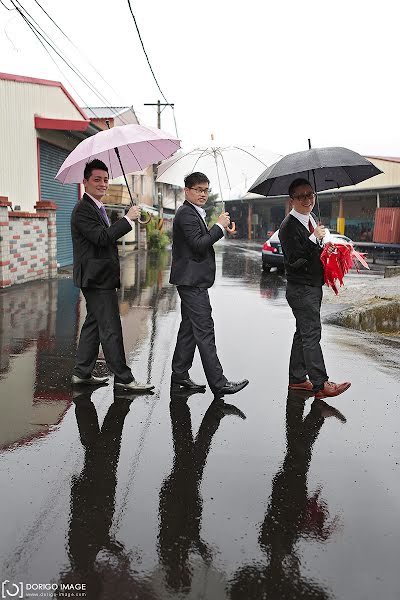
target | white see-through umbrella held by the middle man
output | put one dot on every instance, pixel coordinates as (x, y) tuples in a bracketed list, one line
[(227, 167)]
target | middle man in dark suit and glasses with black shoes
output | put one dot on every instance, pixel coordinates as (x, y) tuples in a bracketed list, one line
[(193, 272)]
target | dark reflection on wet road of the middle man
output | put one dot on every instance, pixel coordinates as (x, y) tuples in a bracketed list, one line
[(181, 504)]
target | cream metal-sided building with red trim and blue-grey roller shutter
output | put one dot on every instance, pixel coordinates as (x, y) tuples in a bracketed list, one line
[(41, 124)]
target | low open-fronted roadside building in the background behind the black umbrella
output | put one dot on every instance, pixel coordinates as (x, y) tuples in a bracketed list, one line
[(350, 210)]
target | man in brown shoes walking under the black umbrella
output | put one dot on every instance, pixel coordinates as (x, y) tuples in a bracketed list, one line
[(301, 240)]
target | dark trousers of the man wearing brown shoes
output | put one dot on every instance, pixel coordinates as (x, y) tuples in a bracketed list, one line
[(306, 356)]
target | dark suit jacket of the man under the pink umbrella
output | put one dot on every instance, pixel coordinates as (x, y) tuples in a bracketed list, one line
[(96, 261)]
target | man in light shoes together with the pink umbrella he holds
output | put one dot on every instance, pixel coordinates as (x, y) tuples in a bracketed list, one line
[(112, 152)]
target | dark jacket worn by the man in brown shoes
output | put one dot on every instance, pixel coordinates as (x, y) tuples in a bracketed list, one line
[(301, 256)]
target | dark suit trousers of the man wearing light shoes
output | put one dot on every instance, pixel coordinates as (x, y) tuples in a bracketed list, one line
[(102, 326)]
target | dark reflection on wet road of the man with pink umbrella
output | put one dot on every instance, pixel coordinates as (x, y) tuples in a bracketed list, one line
[(93, 505)]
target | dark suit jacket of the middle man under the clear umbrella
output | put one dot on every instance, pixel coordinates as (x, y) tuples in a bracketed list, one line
[(193, 259)]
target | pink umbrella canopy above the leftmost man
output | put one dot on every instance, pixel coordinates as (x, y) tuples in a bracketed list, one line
[(138, 146)]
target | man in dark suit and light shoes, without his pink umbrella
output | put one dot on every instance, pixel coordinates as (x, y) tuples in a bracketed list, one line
[(97, 273)]
